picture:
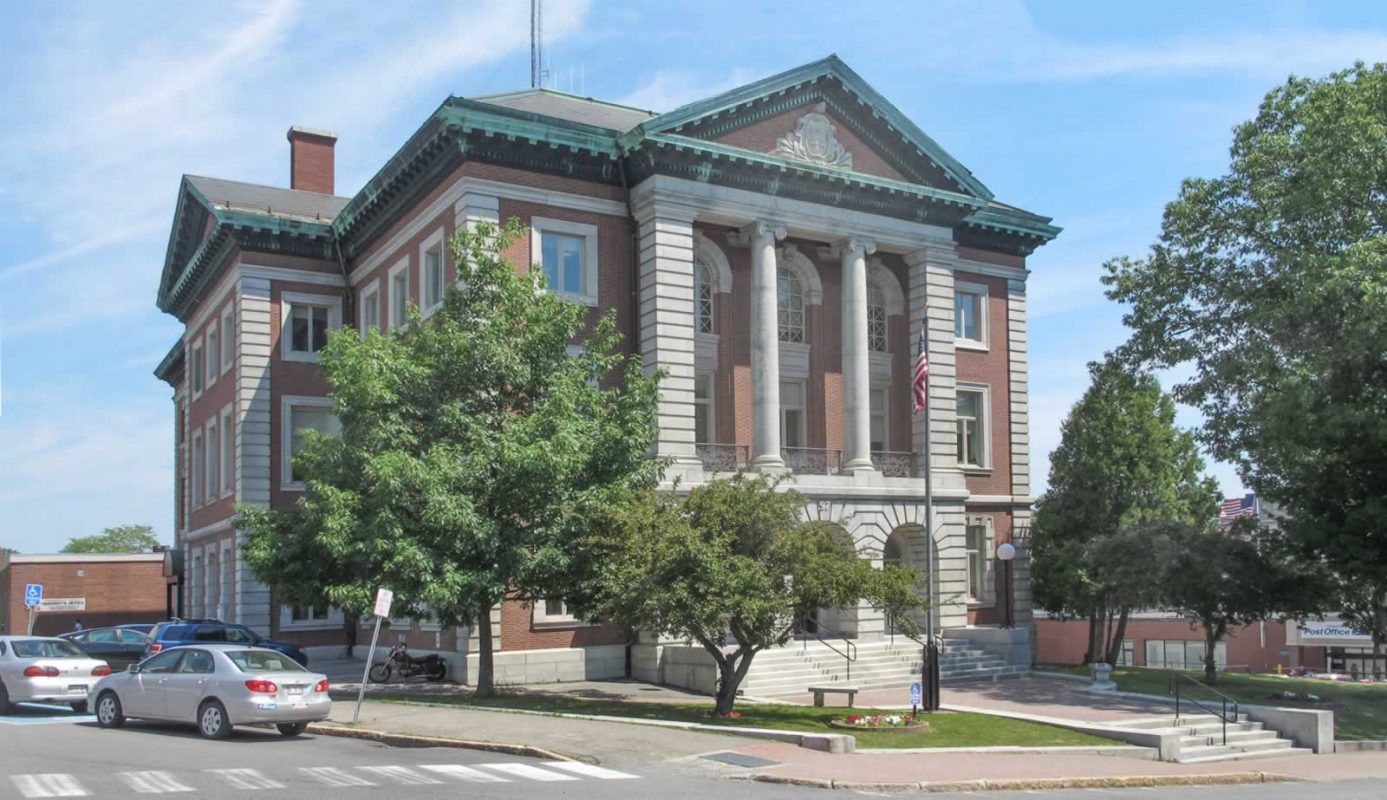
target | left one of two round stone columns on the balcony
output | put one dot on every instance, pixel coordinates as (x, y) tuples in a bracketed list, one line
[(766, 446)]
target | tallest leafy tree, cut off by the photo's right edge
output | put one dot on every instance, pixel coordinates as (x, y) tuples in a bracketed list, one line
[(1270, 285)]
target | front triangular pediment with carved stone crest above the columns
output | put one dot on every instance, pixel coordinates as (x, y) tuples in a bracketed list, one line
[(827, 116)]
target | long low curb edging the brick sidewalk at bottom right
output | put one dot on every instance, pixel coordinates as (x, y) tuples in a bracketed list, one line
[(1031, 784)]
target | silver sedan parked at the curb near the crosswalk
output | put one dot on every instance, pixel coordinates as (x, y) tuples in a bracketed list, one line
[(216, 687)]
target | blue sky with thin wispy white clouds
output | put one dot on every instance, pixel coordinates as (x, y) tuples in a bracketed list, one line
[(1091, 113)]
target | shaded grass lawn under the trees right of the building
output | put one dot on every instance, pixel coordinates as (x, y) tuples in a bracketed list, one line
[(1360, 709)]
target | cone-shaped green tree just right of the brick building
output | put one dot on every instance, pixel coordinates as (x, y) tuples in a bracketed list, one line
[(1121, 465)]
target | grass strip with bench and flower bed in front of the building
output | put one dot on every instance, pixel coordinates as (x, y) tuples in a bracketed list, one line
[(948, 730)]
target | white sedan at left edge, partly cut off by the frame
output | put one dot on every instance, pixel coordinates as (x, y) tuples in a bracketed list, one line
[(46, 670)]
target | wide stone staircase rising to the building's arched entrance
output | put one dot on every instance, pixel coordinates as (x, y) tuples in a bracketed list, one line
[(880, 665)]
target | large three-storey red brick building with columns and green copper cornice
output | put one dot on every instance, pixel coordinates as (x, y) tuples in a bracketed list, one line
[(773, 249)]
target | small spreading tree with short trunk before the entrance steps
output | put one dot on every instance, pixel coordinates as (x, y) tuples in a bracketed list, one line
[(733, 566)]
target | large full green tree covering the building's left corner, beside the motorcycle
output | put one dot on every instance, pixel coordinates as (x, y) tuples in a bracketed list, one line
[(474, 450)]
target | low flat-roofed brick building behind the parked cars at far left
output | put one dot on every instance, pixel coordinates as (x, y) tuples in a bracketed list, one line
[(101, 589)]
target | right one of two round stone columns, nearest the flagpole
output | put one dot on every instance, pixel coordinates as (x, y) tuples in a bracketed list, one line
[(856, 361)]
